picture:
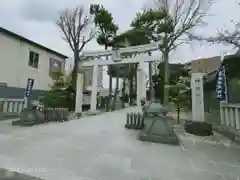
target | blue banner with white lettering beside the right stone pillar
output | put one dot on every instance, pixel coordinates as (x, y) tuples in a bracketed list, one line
[(221, 89)]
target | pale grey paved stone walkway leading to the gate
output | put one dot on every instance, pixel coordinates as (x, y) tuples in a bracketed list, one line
[(100, 148)]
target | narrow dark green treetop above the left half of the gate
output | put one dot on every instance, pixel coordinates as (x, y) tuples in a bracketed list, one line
[(103, 20)]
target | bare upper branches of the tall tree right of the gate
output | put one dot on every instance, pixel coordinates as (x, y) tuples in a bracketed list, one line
[(184, 15)]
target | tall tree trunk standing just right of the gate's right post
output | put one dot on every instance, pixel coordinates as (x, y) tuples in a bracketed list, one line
[(166, 78)]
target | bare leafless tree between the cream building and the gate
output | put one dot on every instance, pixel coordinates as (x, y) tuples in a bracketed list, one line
[(75, 25)]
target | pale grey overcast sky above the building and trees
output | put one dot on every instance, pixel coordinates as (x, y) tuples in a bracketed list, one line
[(35, 19)]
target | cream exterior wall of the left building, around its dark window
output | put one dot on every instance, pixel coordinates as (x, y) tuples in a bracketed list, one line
[(14, 69)]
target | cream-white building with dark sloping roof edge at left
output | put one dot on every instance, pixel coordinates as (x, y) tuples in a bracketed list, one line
[(21, 58)]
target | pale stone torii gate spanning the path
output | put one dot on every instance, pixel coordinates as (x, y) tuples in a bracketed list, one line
[(140, 54)]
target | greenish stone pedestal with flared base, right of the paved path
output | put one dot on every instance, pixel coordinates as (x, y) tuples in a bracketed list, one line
[(158, 127)]
